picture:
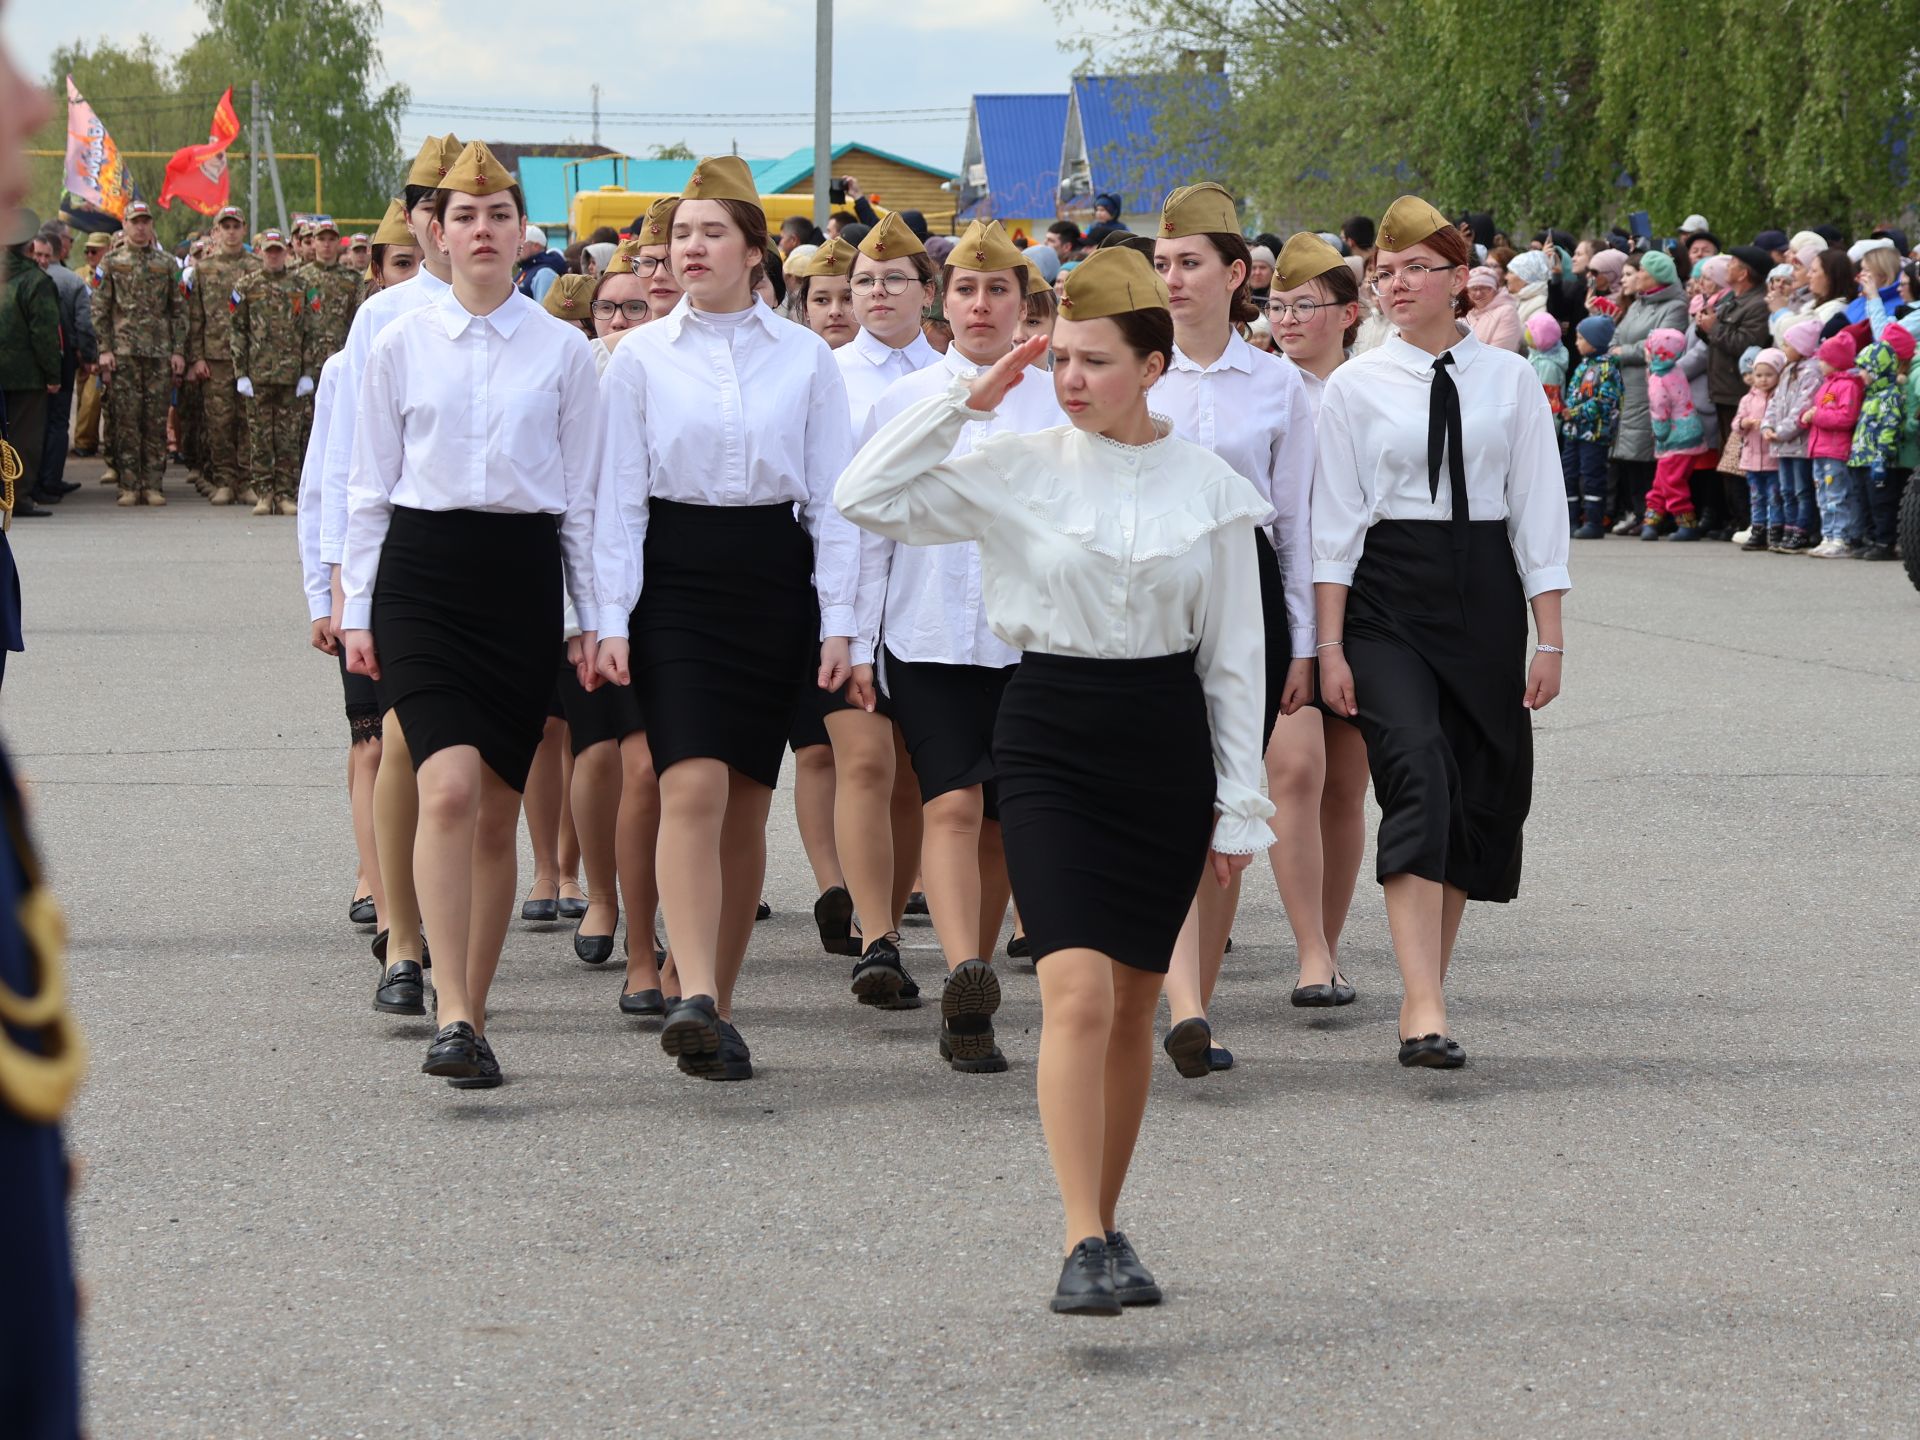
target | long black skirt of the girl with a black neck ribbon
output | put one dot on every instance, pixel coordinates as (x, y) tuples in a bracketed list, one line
[(1439, 679)]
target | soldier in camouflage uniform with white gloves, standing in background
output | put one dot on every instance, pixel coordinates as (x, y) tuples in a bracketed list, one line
[(276, 364)]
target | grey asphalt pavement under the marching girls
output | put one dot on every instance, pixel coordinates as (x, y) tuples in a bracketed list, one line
[(1673, 1195)]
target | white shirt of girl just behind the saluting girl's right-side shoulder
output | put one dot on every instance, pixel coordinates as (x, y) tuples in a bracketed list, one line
[(1251, 410)]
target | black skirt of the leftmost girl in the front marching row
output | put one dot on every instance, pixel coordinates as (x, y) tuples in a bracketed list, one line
[(466, 610)]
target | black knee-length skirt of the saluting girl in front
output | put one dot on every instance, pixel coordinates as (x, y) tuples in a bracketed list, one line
[(1107, 802)]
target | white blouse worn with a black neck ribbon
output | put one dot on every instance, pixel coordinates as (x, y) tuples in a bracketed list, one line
[(1374, 458)]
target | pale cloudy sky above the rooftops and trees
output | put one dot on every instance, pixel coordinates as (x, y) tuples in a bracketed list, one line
[(732, 57)]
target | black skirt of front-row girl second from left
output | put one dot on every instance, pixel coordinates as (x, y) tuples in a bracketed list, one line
[(723, 633)]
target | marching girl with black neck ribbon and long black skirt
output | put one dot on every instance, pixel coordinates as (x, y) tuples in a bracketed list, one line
[(1439, 517)]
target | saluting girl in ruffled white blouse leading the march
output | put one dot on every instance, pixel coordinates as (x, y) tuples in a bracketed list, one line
[(1122, 564)]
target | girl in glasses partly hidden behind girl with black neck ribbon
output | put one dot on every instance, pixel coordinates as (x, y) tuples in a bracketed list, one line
[(1316, 767)]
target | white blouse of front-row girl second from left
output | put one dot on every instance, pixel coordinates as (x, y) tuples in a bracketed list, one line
[(723, 410)]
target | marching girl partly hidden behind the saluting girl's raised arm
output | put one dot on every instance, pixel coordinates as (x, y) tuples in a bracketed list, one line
[(946, 669)]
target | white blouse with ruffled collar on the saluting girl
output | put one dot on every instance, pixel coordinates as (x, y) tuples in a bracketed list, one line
[(1095, 550)]
